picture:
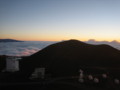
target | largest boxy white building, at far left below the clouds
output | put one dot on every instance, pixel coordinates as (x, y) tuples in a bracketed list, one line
[(12, 64)]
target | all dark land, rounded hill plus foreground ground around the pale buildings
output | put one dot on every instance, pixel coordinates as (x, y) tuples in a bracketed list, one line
[(62, 62)]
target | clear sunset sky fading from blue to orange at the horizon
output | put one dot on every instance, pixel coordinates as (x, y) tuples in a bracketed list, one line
[(54, 20)]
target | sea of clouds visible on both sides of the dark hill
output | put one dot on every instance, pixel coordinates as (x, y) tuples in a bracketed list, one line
[(29, 47)]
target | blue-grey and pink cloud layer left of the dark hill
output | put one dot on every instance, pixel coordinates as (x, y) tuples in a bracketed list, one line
[(22, 48)]
